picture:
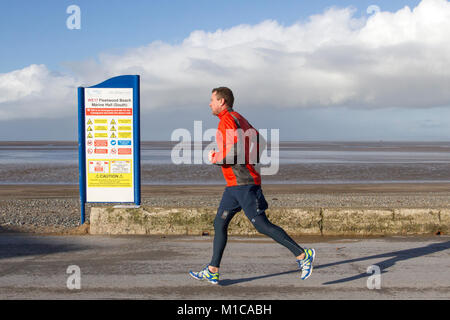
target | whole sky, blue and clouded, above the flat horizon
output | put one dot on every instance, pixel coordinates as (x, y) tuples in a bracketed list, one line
[(315, 70)]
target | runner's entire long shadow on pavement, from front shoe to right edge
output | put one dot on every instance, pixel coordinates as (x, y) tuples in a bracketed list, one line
[(395, 256)]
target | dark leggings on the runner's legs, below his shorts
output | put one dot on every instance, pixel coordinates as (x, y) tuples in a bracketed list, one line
[(262, 225)]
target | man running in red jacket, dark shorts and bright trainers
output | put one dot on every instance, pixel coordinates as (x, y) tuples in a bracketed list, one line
[(243, 191)]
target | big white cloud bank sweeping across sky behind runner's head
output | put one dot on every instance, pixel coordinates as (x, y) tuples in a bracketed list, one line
[(388, 59)]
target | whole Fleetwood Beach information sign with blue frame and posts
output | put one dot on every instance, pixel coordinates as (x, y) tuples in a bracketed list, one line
[(109, 142)]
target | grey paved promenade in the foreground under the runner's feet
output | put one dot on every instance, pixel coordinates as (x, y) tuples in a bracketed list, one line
[(143, 267)]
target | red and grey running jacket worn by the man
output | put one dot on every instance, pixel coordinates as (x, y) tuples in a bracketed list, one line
[(239, 149)]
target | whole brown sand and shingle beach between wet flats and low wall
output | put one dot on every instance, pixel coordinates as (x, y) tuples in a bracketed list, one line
[(56, 208)]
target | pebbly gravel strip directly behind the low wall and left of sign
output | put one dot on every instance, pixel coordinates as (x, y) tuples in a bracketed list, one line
[(48, 215)]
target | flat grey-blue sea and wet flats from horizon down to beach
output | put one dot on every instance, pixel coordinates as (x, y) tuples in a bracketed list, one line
[(291, 162)]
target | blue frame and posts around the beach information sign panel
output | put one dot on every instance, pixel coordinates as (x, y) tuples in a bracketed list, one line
[(126, 81)]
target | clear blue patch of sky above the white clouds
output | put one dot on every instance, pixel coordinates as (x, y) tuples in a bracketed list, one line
[(35, 31)]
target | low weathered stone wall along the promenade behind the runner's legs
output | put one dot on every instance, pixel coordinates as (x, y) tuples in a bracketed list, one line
[(296, 221)]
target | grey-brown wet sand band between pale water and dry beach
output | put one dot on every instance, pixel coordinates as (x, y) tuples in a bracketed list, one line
[(200, 175)]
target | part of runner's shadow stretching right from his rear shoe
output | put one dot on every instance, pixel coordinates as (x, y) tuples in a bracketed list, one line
[(395, 257)]
